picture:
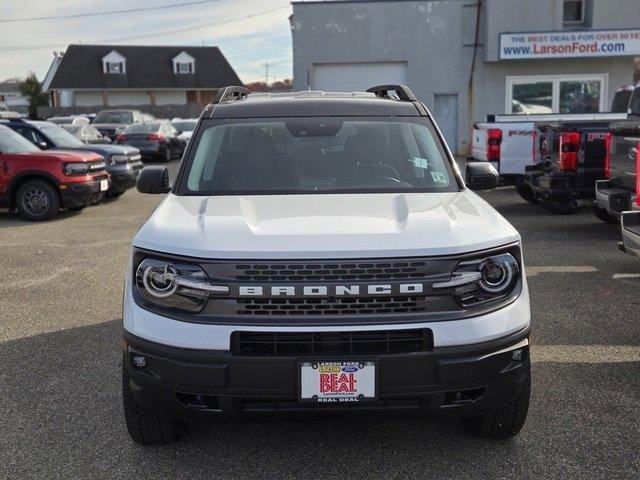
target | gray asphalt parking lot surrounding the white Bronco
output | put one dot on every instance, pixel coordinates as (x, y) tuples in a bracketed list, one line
[(60, 407)]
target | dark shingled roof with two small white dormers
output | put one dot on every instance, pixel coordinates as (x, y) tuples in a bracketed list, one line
[(146, 67)]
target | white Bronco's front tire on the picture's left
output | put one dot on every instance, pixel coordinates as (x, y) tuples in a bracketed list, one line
[(144, 425)]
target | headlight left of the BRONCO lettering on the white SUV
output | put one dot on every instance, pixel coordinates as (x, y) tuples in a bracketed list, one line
[(177, 285)]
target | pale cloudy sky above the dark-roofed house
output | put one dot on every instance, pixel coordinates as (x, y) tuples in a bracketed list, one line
[(246, 42)]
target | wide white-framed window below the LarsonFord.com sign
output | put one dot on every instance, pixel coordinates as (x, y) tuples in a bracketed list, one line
[(557, 94)]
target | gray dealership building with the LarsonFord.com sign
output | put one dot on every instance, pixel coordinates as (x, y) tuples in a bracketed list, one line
[(469, 58)]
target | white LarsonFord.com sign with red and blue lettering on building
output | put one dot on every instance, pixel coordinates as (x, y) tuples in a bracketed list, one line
[(589, 43)]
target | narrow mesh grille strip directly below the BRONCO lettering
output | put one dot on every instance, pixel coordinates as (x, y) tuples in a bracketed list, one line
[(331, 306)]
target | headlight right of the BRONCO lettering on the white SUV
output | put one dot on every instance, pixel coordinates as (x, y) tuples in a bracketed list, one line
[(483, 280)]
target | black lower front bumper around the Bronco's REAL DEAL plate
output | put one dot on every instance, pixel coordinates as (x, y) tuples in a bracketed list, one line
[(458, 381)]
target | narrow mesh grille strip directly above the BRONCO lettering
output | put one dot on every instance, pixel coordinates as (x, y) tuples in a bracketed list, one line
[(332, 271)]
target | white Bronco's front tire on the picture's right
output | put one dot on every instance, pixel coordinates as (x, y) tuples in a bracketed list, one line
[(505, 421)]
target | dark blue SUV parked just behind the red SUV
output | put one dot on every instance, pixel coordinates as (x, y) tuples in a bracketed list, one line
[(122, 162)]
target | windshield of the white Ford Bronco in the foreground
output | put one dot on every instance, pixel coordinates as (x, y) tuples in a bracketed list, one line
[(317, 155)]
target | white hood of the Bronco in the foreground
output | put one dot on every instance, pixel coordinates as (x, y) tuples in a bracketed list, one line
[(324, 226)]
